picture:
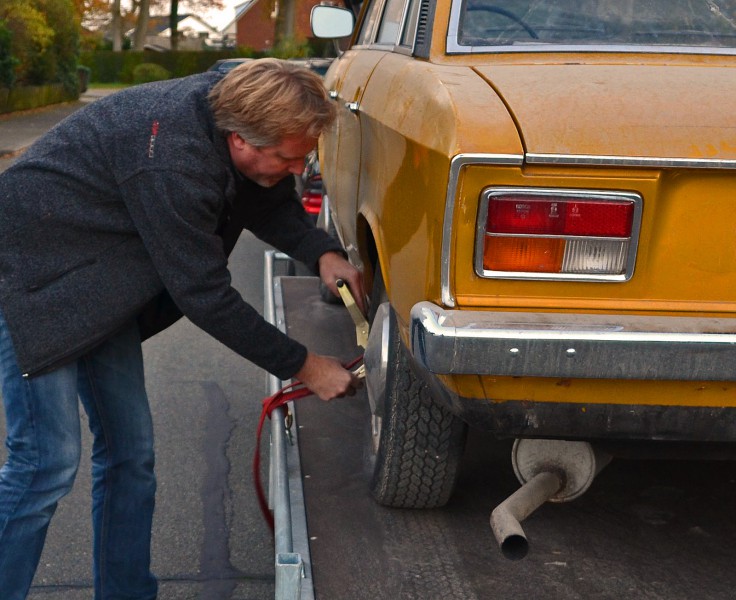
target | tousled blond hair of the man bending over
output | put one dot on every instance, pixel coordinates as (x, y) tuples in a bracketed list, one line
[(267, 100)]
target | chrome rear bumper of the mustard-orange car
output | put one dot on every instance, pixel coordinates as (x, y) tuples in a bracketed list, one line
[(563, 345)]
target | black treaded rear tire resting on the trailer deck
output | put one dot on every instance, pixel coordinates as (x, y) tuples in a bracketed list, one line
[(418, 443)]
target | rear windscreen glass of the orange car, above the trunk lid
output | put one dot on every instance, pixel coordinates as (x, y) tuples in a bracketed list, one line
[(675, 23)]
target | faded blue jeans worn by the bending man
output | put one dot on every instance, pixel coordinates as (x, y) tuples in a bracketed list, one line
[(44, 447)]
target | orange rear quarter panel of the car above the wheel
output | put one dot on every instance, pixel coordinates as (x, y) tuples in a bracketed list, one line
[(415, 117)]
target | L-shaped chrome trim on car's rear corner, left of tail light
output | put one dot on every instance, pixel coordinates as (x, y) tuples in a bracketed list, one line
[(456, 164)]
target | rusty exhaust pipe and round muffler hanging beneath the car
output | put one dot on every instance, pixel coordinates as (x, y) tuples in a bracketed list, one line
[(549, 470)]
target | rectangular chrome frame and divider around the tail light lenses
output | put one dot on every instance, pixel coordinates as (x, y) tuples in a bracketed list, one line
[(612, 195)]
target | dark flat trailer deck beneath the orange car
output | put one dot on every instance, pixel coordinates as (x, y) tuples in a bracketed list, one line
[(646, 528)]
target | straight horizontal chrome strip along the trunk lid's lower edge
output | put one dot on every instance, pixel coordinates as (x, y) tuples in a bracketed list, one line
[(629, 161)]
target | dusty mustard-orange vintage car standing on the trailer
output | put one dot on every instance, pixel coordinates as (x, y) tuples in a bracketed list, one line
[(542, 197)]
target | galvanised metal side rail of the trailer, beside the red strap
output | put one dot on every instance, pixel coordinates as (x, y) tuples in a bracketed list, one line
[(286, 494)]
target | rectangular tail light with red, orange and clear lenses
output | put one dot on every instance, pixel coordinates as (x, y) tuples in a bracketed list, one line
[(557, 234)]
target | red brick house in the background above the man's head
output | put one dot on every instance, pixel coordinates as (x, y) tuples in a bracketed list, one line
[(254, 24)]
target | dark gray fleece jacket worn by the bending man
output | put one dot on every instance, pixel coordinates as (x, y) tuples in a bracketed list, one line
[(131, 203)]
